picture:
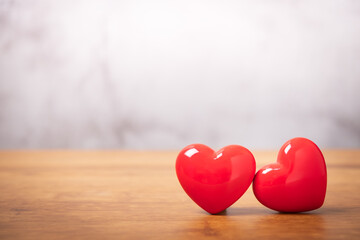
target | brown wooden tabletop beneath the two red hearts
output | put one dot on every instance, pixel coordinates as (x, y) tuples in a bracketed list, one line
[(136, 195)]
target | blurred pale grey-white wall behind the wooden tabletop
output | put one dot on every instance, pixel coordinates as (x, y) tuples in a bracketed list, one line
[(163, 74)]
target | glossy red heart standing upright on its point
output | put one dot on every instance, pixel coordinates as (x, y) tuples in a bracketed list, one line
[(215, 180)]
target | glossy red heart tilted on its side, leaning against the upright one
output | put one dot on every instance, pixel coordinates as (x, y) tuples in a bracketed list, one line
[(297, 182)]
